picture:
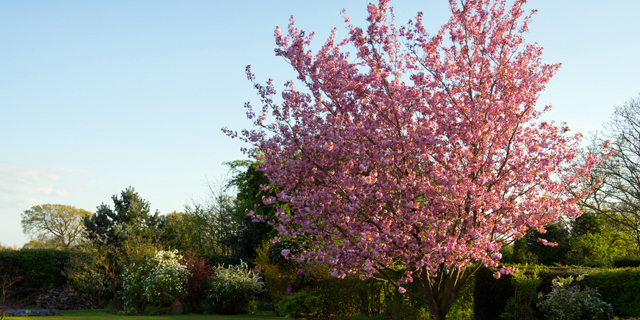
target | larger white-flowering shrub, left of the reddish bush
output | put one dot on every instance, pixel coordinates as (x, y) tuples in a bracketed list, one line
[(157, 280)]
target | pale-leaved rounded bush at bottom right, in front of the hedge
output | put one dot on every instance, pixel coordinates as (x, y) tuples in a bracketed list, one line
[(572, 302)]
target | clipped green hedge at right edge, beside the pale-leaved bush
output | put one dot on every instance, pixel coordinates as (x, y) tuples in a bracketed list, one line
[(620, 287)]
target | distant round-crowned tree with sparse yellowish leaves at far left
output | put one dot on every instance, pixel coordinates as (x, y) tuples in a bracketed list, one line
[(60, 224)]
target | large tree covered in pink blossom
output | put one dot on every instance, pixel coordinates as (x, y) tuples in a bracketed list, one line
[(423, 155)]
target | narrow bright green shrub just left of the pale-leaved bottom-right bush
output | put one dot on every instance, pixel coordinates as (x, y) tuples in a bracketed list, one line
[(519, 306)]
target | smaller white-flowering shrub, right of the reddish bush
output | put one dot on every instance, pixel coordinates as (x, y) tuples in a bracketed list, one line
[(233, 289)]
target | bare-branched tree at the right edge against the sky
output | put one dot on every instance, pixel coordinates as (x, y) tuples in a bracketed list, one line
[(618, 196)]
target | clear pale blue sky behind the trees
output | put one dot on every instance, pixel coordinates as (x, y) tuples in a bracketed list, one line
[(96, 96)]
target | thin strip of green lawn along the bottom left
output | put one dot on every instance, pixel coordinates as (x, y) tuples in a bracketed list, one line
[(99, 314)]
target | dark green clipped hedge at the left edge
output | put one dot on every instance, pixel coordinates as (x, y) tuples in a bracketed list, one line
[(39, 267)]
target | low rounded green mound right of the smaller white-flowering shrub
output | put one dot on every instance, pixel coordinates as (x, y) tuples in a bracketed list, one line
[(306, 303)]
